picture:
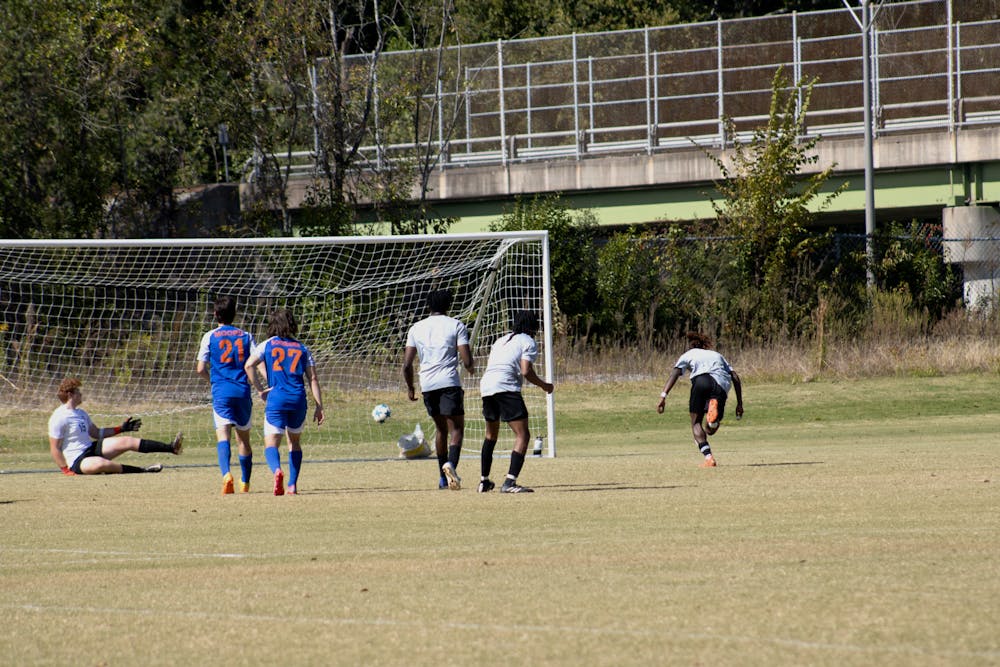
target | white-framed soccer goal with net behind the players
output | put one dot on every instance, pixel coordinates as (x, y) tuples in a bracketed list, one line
[(126, 317)]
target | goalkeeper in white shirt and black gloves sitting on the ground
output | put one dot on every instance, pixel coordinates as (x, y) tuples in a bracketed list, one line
[(79, 447)]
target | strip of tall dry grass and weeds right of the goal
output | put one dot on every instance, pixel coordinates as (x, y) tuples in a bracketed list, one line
[(897, 340)]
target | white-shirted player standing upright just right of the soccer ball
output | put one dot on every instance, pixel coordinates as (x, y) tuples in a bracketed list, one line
[(440, 342)]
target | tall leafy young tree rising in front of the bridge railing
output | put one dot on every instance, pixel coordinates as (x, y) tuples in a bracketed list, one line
[(766, 210)]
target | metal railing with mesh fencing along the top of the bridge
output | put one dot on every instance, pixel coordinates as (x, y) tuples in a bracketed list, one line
[(935, 64)]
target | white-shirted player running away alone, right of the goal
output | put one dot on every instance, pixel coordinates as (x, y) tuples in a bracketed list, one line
[(711, 379)]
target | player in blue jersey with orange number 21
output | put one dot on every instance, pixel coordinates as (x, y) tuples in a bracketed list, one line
[(221, 359)]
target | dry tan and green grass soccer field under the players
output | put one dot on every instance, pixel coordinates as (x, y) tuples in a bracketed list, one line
[(849, 523)]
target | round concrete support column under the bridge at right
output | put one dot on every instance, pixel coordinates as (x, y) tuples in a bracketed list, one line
[(972, 240)]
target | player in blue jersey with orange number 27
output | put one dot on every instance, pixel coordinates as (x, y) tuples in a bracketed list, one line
[(288, 365)]
